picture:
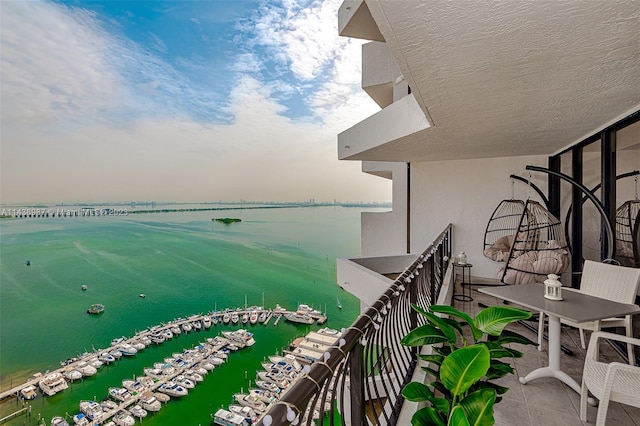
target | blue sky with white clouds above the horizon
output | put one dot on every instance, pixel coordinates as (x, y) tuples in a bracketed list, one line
[(192, 101)]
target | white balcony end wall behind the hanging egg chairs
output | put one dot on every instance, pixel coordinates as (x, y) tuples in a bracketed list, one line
[(465, 193)]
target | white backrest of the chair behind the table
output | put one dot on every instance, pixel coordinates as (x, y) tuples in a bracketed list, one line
[(617, 283)]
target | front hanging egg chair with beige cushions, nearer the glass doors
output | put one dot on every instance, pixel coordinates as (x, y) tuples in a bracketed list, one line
[(539, 247)]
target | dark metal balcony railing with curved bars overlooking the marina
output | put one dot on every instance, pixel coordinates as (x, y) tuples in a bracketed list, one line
[(360, 379)]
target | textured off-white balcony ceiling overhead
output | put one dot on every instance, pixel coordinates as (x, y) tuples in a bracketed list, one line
[(509, 78)]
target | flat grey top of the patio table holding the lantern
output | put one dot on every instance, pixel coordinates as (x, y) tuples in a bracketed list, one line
[(576, 307)]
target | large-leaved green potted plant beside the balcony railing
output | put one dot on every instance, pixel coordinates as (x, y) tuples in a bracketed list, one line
[(462, 392)]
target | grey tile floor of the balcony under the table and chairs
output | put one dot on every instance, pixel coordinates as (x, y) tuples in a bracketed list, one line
[(547, 402)]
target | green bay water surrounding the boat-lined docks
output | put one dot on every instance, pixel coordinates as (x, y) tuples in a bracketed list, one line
[(185, 264)]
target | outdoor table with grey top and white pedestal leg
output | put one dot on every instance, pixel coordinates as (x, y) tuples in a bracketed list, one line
[(575, 306)]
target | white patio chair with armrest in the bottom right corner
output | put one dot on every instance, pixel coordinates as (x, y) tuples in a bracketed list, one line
[(613, 381)]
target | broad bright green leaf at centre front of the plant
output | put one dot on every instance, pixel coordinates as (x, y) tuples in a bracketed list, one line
[(464, 367)]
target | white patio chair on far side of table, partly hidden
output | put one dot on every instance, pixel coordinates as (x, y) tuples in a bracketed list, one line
[(617, 283)]
